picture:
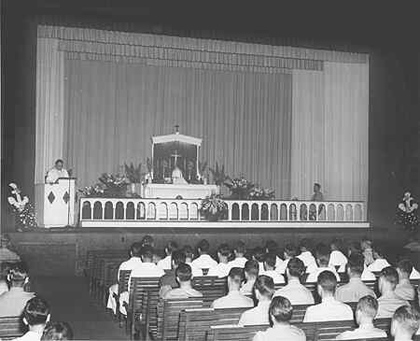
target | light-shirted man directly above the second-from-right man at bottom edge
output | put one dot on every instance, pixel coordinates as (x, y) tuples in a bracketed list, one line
[(355, 288)]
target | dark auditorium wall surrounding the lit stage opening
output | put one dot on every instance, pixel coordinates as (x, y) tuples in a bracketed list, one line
[(394, 90)]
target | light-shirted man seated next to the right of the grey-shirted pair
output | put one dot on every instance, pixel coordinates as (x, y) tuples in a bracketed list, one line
[(234, 298)]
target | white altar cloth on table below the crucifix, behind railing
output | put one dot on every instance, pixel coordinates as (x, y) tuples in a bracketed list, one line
[(187, 191)]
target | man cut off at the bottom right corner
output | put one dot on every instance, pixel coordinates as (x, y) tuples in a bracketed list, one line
[(405, 323)]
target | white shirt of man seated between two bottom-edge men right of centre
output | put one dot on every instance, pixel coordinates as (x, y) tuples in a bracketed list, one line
[(329, 310)]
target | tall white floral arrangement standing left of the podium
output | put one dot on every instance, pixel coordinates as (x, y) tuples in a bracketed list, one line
[(22, 209)]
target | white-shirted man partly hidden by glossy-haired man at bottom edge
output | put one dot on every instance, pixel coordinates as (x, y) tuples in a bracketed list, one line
[(264, 290)]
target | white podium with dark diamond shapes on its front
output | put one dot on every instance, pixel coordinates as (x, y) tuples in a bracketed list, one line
[(55, 203)]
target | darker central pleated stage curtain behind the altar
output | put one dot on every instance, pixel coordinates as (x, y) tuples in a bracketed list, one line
[(112, 109)]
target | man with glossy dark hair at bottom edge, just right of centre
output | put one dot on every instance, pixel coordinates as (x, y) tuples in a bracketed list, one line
[(280, 314)]
